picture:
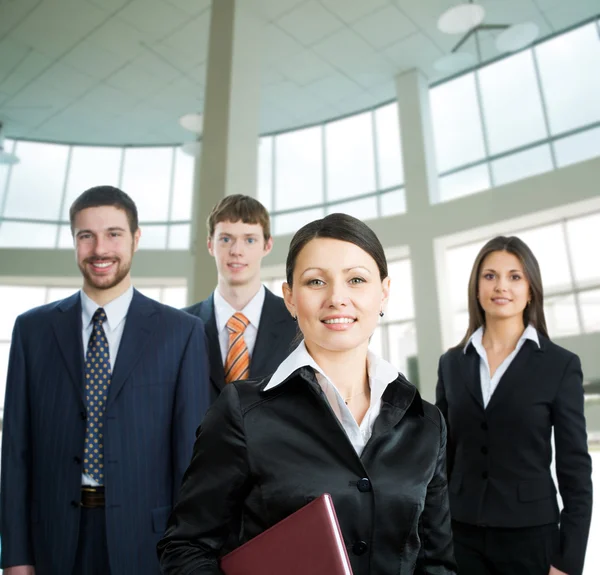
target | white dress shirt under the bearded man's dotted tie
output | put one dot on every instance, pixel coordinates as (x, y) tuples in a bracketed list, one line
[(116, 312)]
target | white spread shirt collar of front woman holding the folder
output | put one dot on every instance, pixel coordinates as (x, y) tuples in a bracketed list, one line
[(381, 373)]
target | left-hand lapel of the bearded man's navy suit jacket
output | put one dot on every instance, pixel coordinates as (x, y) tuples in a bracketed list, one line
[(68, 331)]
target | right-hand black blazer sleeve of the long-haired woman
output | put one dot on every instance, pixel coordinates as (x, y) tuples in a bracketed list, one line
[(573, 470)]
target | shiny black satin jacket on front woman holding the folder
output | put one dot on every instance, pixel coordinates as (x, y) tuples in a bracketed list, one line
[(261, 455)]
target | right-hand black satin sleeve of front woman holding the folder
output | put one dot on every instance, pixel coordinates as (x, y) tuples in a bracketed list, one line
[(436, 556)]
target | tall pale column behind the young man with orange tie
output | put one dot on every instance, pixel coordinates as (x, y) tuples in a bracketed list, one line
[(229, 158)]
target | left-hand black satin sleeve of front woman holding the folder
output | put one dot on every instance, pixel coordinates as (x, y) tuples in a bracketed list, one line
[(211, 497)]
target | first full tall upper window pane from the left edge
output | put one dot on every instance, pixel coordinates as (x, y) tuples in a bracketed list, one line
[(37, 182)]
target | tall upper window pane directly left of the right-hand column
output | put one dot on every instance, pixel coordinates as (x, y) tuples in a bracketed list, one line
[(389, 151)]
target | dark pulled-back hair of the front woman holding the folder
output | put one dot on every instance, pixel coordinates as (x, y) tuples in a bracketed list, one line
[(337, 227)]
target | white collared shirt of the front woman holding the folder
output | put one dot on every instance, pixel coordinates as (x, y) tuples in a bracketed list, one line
[(381, 374)]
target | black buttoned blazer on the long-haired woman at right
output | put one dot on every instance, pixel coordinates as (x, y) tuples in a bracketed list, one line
[(499, 457)]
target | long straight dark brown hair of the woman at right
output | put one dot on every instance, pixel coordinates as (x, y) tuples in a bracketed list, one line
[(533, 314)]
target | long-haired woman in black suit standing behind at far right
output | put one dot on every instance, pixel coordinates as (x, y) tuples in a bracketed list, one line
[(503, 390)]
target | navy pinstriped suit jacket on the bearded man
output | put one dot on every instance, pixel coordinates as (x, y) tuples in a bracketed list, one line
[(157, 397)]
